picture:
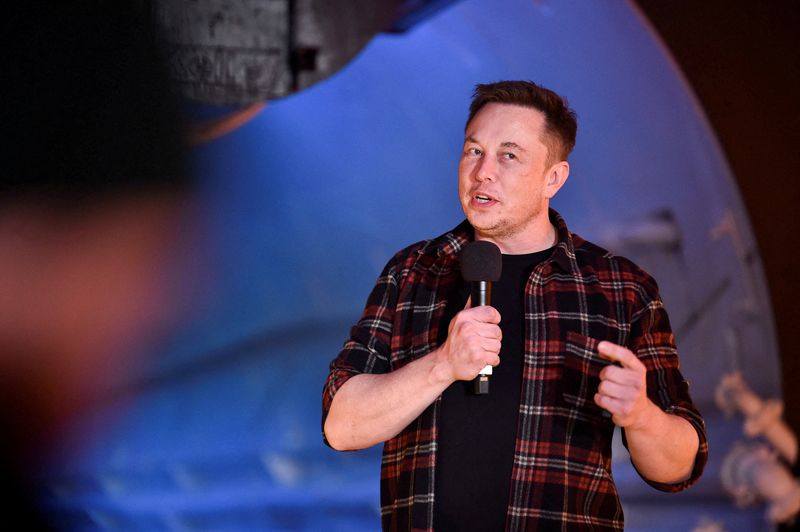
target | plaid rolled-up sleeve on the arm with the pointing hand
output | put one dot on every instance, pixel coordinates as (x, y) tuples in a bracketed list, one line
[(653, 342)]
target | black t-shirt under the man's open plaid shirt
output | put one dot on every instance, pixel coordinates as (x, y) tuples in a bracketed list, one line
[(477, 433)]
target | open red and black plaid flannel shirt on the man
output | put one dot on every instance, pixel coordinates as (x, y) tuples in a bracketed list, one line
[(581, 295)]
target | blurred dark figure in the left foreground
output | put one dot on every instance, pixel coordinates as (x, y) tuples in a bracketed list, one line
[(93, 190)]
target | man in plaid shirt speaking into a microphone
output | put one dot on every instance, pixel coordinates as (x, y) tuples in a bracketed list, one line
[(578, 339)]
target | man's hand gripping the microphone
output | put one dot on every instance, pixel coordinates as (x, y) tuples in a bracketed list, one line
[(473, 341)]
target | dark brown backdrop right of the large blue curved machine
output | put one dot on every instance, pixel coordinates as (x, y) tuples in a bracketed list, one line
[(743, 60)]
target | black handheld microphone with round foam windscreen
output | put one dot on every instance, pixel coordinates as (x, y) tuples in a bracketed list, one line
[(481, 264)]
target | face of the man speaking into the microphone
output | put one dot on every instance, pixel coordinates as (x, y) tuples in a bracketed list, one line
[(503, 172)]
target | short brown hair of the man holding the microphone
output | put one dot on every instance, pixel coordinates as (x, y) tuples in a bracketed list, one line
[(561, 122)]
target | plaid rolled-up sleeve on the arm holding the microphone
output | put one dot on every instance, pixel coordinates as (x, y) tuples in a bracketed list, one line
[(367, 349)]
